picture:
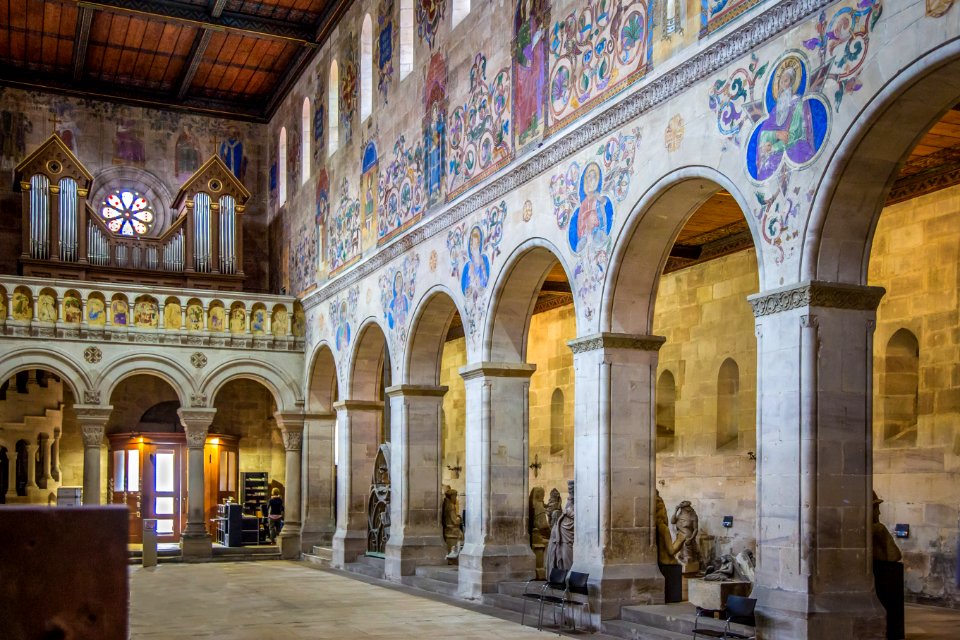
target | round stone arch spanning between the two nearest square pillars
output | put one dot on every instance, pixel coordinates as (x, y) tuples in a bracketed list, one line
[(643, 245)]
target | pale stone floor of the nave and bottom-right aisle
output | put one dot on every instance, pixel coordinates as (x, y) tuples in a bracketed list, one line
[(266, 600)]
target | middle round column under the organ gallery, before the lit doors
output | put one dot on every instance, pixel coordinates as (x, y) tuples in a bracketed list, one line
[(195, 543)]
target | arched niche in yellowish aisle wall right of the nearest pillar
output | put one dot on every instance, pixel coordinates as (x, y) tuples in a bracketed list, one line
[(900, 387)]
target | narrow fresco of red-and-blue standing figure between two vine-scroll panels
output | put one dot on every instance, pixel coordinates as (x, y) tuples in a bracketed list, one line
[(434, 129)]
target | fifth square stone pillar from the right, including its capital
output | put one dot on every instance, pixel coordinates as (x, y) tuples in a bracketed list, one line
[(358, 433)]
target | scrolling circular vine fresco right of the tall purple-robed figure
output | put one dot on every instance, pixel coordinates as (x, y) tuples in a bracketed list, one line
[(595, 52)]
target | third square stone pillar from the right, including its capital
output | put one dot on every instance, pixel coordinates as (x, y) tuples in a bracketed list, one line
[(497, 541)]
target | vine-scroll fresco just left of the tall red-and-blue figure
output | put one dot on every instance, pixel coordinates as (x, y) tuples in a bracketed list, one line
[(401, 191)]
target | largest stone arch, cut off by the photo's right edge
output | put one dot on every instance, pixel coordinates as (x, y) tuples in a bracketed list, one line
[(865, 163)]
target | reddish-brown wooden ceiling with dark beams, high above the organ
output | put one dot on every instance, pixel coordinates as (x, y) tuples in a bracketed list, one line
[(229, 57)]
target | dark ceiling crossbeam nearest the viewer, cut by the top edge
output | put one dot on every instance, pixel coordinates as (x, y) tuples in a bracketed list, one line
[(201, 17)]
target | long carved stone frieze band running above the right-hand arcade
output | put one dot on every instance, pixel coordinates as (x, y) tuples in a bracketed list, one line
[(724, 51)]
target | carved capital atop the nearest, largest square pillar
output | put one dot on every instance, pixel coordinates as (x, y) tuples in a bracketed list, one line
[(812, 293)]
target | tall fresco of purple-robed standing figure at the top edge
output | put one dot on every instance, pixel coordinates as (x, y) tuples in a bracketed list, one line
[(531, 29)]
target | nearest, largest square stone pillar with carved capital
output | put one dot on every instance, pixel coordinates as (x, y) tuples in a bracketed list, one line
[(814, 462)]
